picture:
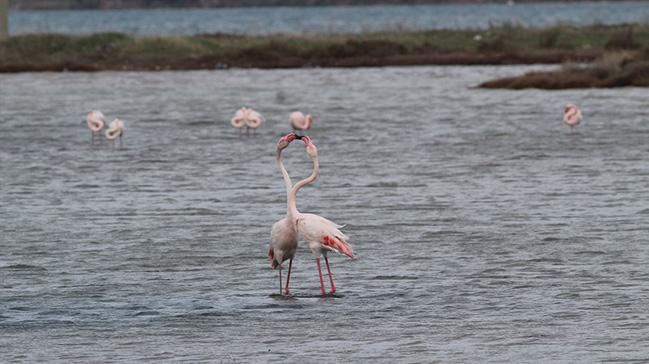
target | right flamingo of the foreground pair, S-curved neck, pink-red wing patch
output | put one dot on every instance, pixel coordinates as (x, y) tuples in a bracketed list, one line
[(322, 235)]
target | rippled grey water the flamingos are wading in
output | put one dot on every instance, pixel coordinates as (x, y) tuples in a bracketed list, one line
[(484, 229)]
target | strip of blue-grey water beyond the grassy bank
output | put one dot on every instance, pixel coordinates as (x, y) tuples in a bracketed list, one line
[(334, 19)]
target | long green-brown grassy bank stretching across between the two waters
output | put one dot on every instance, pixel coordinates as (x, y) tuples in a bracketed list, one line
[(498, 45)]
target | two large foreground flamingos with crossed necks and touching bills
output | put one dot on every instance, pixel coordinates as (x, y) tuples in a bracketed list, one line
[(322, 235)]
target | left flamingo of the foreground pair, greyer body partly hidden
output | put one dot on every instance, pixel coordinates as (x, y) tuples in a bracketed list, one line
[(283, 235)]
